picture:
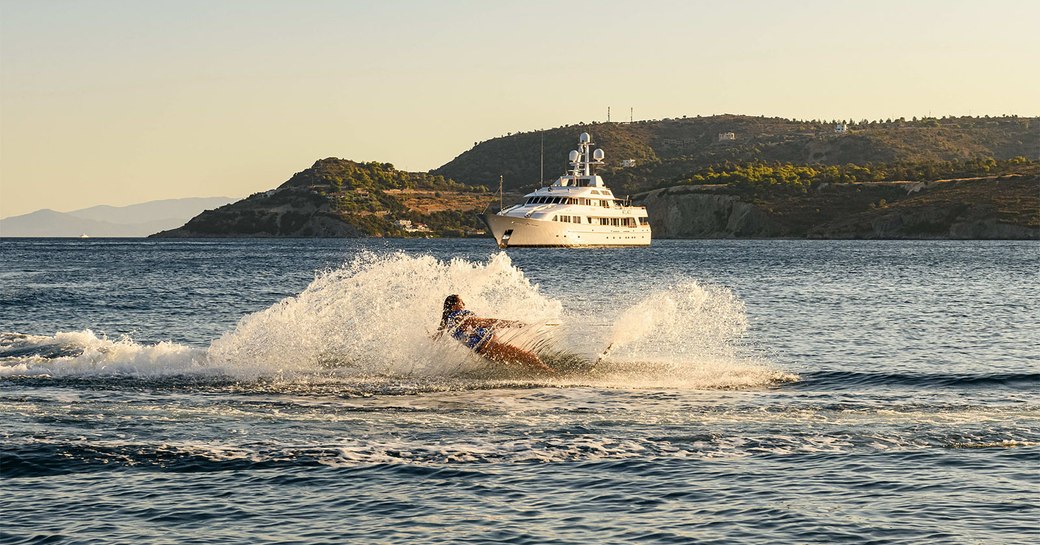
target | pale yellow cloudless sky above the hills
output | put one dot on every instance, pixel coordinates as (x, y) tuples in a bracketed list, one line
[(121, 102)]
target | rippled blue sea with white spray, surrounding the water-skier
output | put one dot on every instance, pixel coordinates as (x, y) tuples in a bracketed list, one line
[(263, 392)]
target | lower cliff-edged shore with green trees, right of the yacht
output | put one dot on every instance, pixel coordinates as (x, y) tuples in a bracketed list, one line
[(985, 209)]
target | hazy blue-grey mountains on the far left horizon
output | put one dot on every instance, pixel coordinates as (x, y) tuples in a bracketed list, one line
[(135, 221)]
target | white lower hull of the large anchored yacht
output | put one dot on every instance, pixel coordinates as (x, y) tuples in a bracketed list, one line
[(512, 232)]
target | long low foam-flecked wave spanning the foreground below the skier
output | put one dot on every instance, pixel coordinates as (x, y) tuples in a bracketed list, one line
[(44, 457)]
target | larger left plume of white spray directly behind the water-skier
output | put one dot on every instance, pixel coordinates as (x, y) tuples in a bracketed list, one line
[(379, 316)]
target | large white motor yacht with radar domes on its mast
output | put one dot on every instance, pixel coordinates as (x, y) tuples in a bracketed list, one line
[(577, 211)]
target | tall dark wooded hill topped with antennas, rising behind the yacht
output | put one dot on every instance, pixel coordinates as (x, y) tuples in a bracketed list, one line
[(668, 150)]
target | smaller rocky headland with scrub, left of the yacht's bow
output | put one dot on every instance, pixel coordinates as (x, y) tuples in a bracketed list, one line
[(340, 198)]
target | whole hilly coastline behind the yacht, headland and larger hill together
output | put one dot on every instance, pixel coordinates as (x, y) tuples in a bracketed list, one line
[(768, 177)]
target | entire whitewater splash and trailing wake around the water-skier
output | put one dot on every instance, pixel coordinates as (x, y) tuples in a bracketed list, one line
[(377, 317)]
